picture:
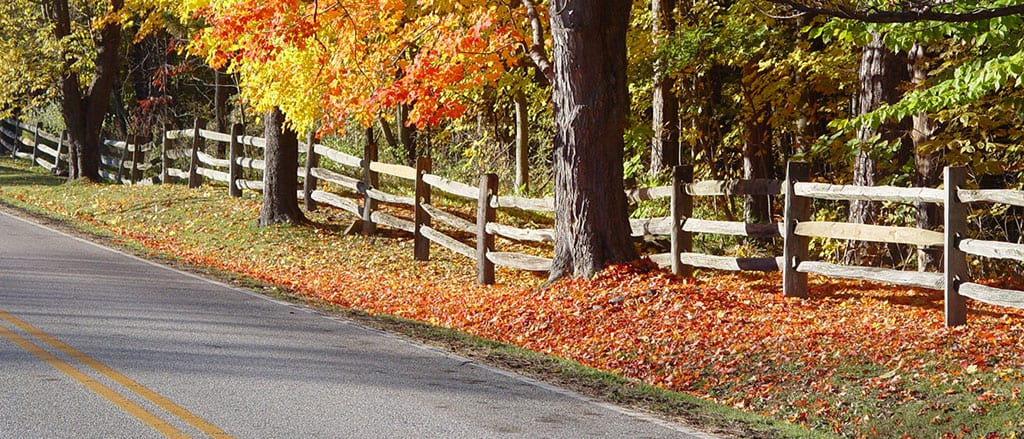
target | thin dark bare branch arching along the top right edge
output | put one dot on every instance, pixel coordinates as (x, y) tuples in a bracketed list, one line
[(915, 12)]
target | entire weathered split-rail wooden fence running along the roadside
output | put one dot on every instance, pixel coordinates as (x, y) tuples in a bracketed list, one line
[(353, 185)]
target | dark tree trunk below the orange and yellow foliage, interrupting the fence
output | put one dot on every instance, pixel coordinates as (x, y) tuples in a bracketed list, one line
[(281, 203)]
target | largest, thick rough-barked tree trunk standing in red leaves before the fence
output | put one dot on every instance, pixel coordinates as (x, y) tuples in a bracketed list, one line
[(590, 103)]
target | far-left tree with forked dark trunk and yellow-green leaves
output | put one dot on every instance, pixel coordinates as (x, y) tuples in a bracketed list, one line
[(69, 53)]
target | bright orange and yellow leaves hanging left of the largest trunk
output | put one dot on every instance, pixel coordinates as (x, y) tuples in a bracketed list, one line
[(356, 59)]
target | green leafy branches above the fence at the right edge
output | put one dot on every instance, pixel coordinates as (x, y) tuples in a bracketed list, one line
[(972, 94)]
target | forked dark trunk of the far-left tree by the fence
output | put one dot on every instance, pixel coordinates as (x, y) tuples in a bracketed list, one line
[(83, 112)]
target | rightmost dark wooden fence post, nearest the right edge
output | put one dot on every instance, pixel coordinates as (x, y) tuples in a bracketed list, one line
[(954, 258)]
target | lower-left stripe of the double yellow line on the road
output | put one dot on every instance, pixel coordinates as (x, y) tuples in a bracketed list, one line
[(125, 405)]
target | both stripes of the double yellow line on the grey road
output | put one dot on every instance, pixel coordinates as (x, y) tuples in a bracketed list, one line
[(110, 394)]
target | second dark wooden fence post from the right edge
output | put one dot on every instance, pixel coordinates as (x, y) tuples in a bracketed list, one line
[(795, 248)]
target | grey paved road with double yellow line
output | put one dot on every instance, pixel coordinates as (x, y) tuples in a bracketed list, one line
[(98, 344)]
